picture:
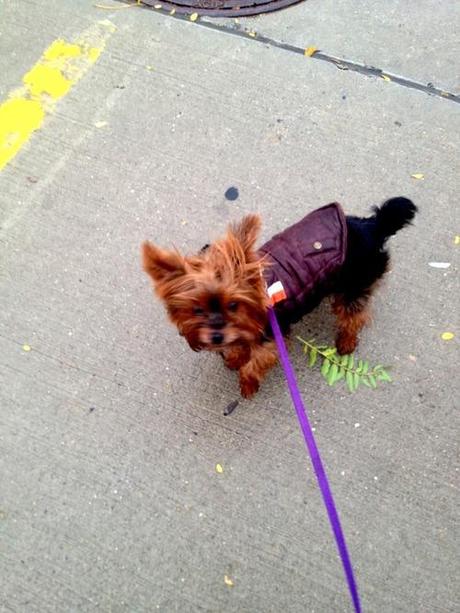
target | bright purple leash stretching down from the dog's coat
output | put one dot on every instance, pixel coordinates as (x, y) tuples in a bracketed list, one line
[(316, 459)]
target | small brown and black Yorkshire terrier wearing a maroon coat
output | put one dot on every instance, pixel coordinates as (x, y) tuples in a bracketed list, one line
[(218, 298)]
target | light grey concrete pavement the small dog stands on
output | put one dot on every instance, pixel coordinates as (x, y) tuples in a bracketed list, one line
[(111, 428)]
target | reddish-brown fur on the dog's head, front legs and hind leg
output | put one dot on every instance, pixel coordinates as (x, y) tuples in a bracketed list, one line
[(230, 271)]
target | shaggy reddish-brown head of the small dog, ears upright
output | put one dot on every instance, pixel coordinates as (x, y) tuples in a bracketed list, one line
[(215, 298)]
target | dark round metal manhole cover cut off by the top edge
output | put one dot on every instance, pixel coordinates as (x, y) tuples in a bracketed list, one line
[(222, 8)]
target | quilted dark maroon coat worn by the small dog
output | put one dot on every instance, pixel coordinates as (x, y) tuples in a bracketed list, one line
[(304, 257)]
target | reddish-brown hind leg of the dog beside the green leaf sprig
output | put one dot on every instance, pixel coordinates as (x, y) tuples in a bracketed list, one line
[(351, 316)]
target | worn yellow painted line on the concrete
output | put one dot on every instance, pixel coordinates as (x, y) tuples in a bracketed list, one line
[(56, 72)]
